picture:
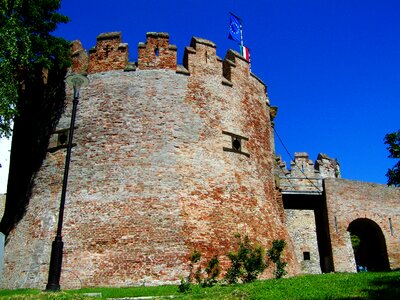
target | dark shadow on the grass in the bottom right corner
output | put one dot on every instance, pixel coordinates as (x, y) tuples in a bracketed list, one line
[(384, 288)]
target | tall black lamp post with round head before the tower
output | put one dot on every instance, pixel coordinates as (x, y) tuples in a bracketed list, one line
[(53, 283)]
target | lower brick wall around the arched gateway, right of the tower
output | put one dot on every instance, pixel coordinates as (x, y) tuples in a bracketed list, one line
[(351, 200)]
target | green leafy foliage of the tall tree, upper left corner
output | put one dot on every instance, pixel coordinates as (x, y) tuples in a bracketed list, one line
[(26, 45)]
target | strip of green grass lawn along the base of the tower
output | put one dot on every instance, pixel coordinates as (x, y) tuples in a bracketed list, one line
[(385, 285)]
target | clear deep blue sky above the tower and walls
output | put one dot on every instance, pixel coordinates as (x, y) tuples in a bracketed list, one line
[(331, 66)]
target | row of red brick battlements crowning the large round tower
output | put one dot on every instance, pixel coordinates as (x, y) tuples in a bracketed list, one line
[(110, 53)]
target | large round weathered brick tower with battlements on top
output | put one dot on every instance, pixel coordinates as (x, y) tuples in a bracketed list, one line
[(168, 159)]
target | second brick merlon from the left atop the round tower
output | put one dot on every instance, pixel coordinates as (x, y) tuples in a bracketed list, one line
[(108, 54)]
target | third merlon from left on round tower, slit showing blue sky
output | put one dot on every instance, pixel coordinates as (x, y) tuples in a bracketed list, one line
[(157, 53)]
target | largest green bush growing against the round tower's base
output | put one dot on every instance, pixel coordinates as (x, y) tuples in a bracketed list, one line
[(247, 262)]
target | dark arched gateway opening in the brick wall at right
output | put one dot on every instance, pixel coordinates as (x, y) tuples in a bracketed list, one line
[(370, 251)]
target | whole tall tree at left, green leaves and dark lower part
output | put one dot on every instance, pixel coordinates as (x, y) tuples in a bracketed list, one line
[(33, 64)]
